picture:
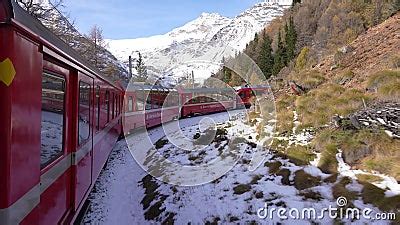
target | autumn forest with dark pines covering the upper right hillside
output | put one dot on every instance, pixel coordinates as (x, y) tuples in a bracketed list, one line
[(309, 31)]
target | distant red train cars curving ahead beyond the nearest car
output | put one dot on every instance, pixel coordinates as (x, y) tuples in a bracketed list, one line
[(149, 106)]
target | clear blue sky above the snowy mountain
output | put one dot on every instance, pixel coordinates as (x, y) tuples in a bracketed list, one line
[(121, 19)]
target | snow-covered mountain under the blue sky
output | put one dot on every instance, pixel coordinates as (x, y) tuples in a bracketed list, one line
[(201, 44)]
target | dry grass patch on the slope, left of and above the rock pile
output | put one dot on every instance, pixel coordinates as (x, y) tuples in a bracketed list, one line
[(318, 106)]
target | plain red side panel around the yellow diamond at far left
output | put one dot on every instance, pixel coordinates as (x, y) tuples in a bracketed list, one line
[(20, 131)]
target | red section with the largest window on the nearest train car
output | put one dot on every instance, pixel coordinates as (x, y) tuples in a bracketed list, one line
[(56, 148)]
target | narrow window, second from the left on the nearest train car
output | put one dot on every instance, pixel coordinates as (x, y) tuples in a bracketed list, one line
[(84, 112)]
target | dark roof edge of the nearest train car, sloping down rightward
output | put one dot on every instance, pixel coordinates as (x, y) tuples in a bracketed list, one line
[(15, 13)]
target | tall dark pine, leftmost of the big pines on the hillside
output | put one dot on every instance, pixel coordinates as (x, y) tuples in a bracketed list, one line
[(266, 59)]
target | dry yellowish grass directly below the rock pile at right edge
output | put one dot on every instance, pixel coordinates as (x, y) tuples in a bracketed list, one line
[(364, 148)]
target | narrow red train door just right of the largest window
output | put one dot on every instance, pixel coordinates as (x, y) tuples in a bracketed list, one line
[(84, 154)]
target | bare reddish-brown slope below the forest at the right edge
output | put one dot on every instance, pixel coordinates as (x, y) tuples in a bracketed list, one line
[(369, 53)]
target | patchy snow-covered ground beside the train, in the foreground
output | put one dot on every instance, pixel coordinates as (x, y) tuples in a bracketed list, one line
[(126, 194)]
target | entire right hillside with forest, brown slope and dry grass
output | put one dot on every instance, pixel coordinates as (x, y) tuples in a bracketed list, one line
[(334, 69)]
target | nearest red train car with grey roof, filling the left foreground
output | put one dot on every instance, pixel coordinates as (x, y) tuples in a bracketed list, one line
[(60, 119)]
